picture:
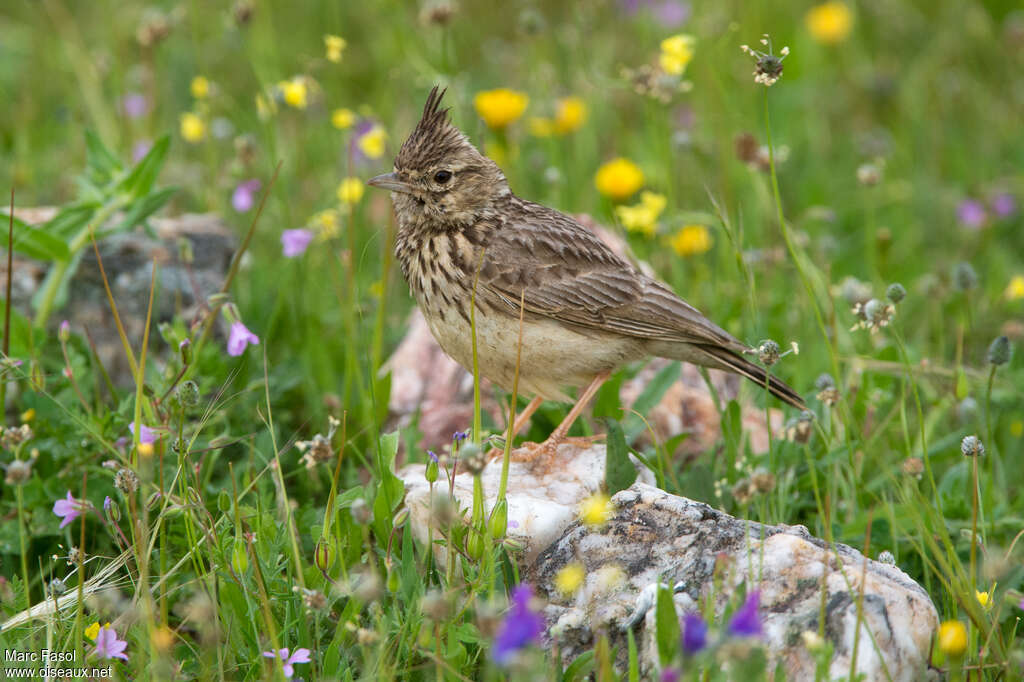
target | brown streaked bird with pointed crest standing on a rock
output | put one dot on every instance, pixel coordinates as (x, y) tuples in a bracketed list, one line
[(546, 296)]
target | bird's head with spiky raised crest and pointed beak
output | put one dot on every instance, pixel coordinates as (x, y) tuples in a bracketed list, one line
[(440, 178)]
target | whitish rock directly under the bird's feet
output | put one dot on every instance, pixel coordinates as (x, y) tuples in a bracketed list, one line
[(543, 501)]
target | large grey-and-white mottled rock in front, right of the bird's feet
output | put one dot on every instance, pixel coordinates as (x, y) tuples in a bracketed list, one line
[(656, 535)]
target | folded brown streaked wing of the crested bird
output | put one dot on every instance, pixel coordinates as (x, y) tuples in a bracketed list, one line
[(567, 273)]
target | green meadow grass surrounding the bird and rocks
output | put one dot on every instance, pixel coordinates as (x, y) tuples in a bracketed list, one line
[(247, 550)]
